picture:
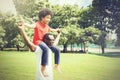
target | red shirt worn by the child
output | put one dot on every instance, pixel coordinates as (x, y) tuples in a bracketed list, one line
[(39, 31)]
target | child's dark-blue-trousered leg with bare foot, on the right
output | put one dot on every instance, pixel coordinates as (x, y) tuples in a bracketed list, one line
[(56, 50)]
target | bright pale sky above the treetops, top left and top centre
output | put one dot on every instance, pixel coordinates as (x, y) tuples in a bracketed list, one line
[(8, 5)]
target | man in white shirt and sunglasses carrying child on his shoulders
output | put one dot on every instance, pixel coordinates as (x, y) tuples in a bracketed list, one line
[(48, 39)]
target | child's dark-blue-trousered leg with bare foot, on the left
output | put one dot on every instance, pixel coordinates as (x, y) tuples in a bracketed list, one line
[(44, 60)]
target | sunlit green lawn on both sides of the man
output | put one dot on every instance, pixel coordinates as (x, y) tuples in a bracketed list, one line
[(22, 66)]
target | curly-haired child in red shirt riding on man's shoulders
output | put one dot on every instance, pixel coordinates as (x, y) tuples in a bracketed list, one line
[(41, 27)]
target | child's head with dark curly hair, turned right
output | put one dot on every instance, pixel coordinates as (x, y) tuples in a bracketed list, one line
[(45, 15)]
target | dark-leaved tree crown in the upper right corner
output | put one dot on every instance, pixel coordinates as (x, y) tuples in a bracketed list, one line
[(109, 12)]
